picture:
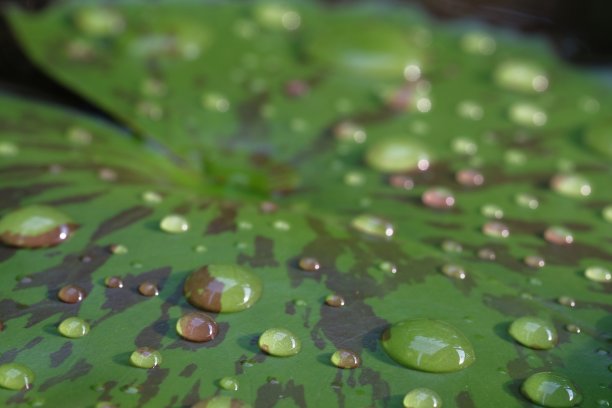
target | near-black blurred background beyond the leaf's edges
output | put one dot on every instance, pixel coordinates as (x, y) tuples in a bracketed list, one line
[(580, 31)]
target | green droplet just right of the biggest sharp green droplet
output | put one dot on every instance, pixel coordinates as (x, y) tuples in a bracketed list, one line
[(534, 332)]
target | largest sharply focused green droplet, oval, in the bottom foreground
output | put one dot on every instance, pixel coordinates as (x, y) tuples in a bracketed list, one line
[(428, 345)]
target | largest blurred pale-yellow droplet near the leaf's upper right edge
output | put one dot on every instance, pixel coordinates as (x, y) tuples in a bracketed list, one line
[(521, 76)]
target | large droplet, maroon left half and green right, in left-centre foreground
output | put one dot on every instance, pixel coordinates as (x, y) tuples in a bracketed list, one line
[(223, 288)]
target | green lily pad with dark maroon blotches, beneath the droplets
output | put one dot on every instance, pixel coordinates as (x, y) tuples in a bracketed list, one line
[(235, 106)]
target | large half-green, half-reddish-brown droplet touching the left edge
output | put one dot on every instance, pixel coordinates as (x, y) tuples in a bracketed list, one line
[(35, 226)]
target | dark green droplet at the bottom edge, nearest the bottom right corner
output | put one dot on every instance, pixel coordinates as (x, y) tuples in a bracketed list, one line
[(551, 390)]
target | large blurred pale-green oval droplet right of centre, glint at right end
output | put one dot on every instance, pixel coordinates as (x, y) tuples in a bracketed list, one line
[(397, 155)]
